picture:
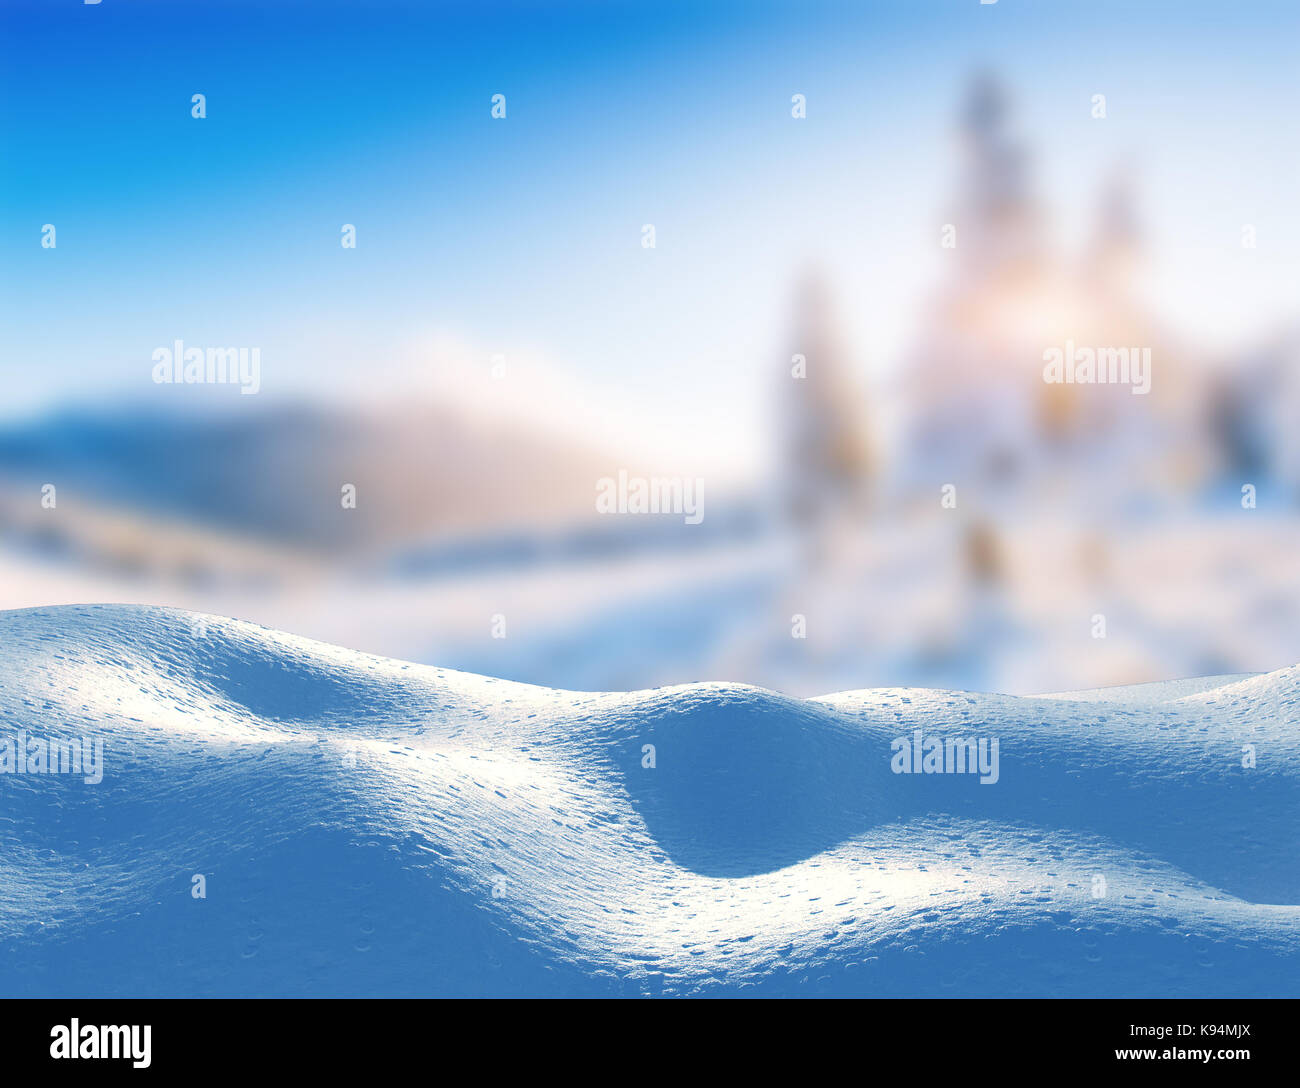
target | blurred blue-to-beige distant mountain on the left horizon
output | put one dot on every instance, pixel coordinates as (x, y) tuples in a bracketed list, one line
[(276, 475)]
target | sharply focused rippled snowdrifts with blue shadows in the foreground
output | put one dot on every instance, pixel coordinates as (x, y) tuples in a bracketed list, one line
[(362, 826)]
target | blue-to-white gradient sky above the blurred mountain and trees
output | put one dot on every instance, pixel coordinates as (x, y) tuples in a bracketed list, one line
[(522, 237)]
